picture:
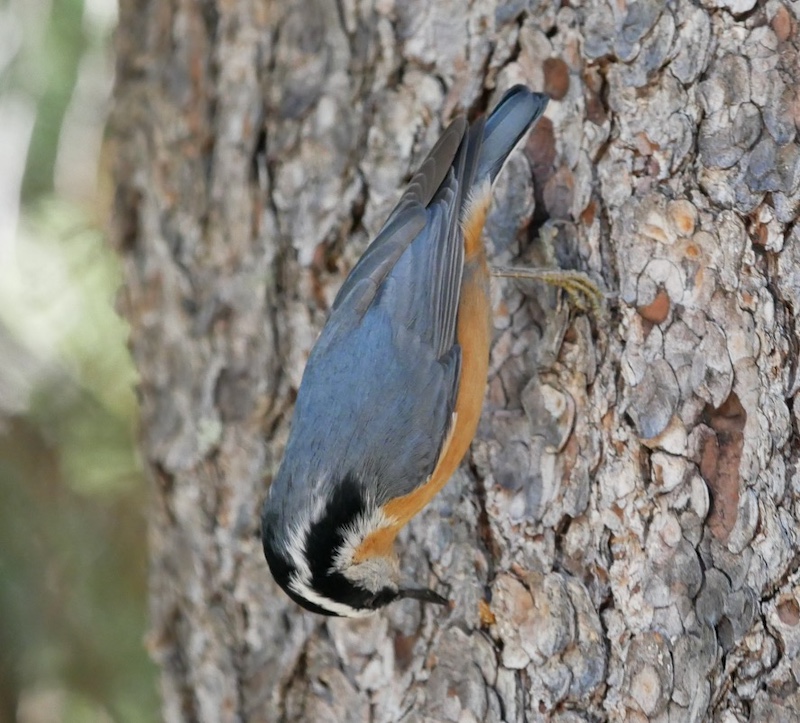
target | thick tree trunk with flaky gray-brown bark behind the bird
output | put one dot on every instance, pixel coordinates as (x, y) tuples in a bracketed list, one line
[(628, 512)]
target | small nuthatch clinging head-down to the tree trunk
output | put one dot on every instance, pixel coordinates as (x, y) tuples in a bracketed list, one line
[(392, 391)]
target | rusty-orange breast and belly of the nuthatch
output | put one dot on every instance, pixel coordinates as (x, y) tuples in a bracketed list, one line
[(474, 336)]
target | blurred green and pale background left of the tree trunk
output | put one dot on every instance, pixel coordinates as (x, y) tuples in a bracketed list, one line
[(72, 496)]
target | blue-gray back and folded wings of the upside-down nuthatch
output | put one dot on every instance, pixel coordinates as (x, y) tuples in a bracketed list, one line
[(379, 389)]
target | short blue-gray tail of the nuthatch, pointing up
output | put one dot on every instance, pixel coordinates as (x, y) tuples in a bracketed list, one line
[(517, 110)]
